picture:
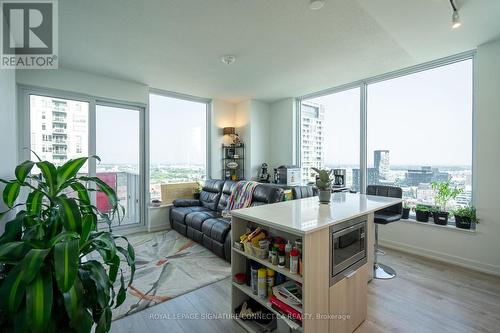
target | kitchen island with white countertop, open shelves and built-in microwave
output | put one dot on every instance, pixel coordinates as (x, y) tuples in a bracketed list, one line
[(329, 304)]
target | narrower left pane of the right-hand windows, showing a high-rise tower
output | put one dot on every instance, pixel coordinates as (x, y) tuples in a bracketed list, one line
[(330, 135)]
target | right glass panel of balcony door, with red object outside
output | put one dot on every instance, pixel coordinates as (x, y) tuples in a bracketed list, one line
[(118, 146)]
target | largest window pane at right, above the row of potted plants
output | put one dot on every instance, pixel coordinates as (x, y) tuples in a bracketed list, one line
[(420, 131)]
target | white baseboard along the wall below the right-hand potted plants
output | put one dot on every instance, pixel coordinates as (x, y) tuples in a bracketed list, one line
[(446, 258)]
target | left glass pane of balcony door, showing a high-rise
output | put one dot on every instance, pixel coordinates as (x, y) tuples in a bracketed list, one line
[(59, 128)]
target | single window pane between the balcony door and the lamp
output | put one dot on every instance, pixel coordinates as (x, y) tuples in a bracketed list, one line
[(178, 141)]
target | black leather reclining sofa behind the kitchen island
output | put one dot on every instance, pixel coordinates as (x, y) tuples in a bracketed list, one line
[(201, 219)]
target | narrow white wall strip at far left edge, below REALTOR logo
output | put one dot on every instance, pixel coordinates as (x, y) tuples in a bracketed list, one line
[(8, 132)]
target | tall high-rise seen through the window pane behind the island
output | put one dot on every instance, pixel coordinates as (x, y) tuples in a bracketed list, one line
[(312, 136)]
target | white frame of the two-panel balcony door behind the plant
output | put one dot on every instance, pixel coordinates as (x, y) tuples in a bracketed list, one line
[(24, 136)]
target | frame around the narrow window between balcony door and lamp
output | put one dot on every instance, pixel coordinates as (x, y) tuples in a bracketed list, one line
[(208, 136)]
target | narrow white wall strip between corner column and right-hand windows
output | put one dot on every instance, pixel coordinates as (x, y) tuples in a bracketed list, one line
[(282, 135)]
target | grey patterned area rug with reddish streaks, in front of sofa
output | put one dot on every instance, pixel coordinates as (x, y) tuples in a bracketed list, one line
[(168, 265)]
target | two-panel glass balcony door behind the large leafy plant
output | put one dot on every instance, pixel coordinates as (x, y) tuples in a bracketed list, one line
[(61, 129)]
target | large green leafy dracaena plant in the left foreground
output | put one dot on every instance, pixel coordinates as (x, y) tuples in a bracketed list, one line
[(58, 270)]
